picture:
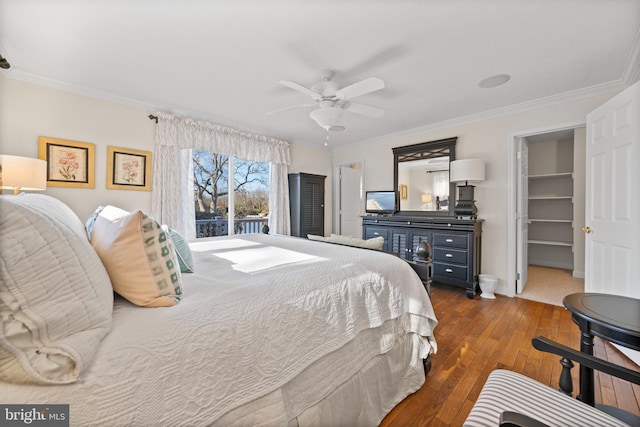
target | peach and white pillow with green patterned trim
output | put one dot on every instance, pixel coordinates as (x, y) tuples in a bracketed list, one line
[(139, 257)]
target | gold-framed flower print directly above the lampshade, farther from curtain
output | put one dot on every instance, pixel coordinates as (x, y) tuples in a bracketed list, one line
[(69, 163)]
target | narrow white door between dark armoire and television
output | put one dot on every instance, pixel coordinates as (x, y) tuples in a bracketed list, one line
[(350, 202)]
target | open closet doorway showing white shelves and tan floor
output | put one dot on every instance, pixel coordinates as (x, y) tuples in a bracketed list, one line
[(551, 208)]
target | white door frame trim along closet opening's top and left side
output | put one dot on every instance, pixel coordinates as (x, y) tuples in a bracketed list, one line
[(512, 187)]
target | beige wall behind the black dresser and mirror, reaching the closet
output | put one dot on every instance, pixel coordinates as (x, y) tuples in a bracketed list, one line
[(485, 139)]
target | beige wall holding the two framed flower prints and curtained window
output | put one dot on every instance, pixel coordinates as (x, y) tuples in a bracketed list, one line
[(28, 111)]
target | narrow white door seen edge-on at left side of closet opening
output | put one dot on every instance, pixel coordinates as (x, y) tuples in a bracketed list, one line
[(522, 215)]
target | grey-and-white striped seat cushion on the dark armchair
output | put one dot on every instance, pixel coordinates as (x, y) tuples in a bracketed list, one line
[(510, 391)]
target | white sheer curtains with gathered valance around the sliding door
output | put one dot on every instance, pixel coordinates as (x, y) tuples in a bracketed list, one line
[(172, 200)]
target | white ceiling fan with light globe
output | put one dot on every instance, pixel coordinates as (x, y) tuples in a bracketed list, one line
[(333, 101)]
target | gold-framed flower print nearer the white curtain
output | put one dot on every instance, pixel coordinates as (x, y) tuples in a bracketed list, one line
[(128, 169)]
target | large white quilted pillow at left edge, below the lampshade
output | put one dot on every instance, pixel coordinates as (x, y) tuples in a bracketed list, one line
[(56, 301)]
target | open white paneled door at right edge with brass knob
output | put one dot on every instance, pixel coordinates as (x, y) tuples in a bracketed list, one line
[(612, 212)]
